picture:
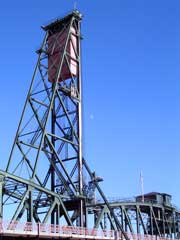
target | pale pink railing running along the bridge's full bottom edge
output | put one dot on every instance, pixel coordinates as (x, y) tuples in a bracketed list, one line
[(41, 230)]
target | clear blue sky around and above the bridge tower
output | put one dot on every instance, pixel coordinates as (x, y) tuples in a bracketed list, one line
[(131, 85)]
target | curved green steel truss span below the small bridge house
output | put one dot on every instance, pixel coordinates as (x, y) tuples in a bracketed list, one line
[(140, 218)]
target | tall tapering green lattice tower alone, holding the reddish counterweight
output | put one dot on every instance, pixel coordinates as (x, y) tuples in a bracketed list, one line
[(48, 146)]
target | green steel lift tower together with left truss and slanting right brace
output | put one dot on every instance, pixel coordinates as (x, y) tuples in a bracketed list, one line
[(46, 178)]
